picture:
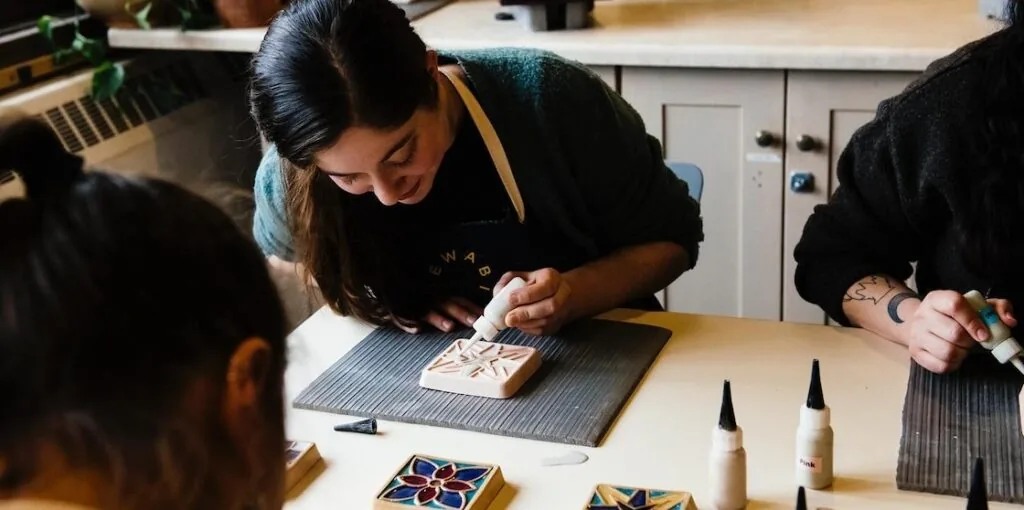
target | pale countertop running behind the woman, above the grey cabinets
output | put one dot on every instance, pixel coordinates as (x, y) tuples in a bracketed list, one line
[(851, 35)]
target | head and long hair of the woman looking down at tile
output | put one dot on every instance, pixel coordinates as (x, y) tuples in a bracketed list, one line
[(355, 105)]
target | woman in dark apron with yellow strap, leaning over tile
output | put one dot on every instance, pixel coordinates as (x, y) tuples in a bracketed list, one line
[(413, 185)]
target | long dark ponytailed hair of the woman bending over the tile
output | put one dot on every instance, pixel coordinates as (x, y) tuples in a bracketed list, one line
[(326, 66)]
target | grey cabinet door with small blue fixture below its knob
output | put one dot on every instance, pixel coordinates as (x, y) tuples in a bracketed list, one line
[(824, 111)]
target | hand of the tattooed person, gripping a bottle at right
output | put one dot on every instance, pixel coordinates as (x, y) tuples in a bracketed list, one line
[(945, 327)]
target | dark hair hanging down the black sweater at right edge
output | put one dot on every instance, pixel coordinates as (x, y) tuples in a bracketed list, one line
[(993, 235)]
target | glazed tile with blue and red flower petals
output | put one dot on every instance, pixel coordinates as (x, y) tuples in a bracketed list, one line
[(434, 483)]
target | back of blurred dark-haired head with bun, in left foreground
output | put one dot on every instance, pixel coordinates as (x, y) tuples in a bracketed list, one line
[(142, 345)]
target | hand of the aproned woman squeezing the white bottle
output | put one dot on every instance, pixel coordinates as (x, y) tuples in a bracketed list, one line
[(542, 307)]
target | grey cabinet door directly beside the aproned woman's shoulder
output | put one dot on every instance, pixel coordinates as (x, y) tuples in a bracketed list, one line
[(730, 123)]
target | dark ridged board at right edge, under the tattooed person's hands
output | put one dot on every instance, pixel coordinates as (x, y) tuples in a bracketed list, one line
[(949, 420)]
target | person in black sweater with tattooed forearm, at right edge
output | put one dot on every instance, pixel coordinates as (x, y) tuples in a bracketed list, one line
[(937, 179)]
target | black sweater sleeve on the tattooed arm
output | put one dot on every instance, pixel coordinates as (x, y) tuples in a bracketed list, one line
[(880, 218)]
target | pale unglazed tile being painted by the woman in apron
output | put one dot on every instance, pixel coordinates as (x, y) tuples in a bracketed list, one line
[(491, 370)]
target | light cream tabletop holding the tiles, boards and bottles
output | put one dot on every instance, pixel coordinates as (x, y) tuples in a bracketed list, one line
[(662, 439)]
